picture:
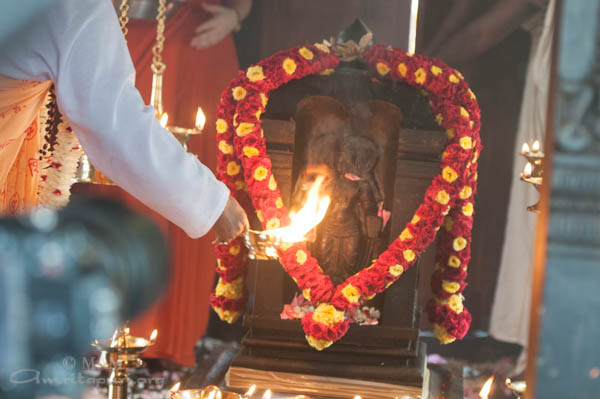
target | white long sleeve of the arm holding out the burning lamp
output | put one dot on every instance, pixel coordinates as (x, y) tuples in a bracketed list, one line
[(78, 45)]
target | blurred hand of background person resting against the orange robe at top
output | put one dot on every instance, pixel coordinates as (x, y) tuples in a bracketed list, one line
[(223, 21)]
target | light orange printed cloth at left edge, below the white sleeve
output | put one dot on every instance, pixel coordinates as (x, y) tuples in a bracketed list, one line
[(20, 103)]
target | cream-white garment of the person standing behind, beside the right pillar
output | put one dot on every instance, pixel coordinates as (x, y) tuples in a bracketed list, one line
[(511, 308)]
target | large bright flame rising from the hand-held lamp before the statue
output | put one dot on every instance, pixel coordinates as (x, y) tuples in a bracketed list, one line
[(311, 214)]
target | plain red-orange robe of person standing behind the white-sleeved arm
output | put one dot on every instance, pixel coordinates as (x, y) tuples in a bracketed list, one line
[(193, 78)]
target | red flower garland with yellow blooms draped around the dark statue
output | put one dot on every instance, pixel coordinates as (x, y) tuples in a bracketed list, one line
[(246, 169)]
